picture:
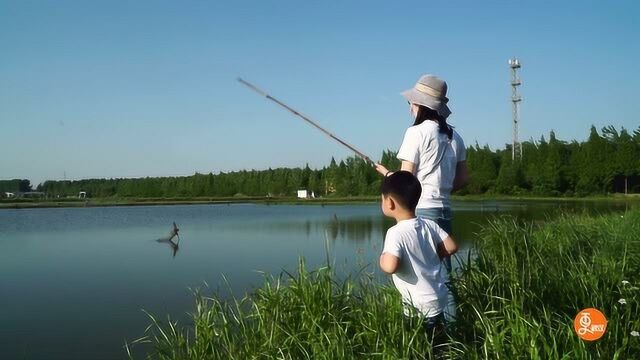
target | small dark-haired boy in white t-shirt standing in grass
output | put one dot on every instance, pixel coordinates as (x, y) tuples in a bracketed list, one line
[(413, 250)]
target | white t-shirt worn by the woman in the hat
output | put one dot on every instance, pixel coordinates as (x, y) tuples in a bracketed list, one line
[(435, 158)]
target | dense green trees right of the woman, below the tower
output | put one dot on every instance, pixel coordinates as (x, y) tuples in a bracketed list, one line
[(606, 162)]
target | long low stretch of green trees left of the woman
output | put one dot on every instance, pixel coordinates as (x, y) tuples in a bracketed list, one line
[(351, 177)]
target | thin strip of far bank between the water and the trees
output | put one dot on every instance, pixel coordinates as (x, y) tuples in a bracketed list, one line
[(62, 203)]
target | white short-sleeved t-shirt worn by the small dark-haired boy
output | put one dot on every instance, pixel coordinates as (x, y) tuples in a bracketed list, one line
[(421, 276)]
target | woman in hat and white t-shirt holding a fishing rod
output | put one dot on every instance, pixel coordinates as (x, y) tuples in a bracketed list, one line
[(432, 151)]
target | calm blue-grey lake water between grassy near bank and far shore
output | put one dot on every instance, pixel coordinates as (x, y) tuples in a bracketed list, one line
[(73, 282)]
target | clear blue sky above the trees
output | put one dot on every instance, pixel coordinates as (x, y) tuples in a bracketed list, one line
[(147, 88)]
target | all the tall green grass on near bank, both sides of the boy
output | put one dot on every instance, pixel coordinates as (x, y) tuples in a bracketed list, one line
[(517, 300)]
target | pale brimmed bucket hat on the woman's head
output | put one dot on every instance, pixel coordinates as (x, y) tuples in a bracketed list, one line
[(430, 91)]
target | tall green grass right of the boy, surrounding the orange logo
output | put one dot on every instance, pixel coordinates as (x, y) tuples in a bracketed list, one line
[(519, 298)]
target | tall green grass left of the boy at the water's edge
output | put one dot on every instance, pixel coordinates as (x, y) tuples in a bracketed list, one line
[(309, 315)]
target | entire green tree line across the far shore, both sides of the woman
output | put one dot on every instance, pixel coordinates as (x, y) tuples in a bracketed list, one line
[(608, 161)]
